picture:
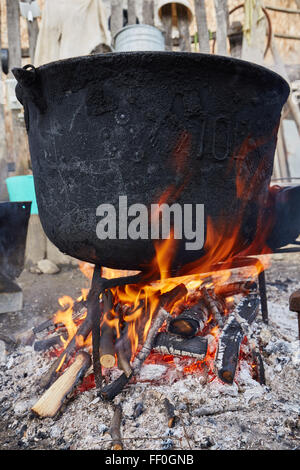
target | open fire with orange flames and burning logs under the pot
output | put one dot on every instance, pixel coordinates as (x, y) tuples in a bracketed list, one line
[(192, 324)]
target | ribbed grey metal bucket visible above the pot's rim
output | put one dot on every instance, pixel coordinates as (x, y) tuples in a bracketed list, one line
[(140, 37)]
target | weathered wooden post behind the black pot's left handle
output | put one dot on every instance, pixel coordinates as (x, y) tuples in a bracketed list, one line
[(20, 143)]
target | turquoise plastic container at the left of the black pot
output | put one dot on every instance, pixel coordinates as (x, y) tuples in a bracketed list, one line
[(21, 188)]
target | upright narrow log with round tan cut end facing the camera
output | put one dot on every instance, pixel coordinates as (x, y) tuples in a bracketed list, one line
[(107, 347)]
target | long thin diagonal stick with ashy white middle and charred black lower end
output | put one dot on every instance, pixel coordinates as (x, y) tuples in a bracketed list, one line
[(166, 300)]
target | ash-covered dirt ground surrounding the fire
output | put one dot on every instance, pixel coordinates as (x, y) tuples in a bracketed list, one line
[(212, 416)]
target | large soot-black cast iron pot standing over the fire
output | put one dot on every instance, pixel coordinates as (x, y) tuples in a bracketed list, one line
[(197, 127)]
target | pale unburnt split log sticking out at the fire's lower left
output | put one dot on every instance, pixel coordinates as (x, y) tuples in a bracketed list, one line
[(52, 400)]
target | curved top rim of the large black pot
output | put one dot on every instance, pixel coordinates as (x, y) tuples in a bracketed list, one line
[(244, 66)]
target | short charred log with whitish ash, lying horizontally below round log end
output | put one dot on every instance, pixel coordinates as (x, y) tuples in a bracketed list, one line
[(166, 343)]
